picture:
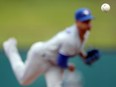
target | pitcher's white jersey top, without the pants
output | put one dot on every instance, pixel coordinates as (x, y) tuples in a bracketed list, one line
[(66, 42)]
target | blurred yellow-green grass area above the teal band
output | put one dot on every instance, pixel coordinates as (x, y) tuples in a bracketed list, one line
[(34, 20)]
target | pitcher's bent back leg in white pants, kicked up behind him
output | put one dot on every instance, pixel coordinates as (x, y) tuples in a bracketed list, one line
[(32, 68)]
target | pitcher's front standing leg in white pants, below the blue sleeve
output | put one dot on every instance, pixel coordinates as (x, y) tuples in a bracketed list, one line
[(54, 77)]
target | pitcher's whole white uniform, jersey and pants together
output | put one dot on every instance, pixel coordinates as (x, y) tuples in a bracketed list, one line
[(66, 42)]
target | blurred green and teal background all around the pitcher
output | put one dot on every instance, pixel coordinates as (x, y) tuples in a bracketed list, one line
[(30, 21)]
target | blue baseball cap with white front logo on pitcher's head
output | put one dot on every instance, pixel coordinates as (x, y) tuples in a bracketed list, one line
[(83, 14)]
